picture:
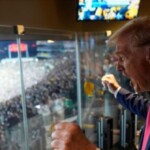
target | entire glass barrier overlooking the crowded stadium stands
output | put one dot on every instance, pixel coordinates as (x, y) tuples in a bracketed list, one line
[(49, 76)]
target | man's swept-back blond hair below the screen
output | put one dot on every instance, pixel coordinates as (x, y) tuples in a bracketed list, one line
[(137, 31)]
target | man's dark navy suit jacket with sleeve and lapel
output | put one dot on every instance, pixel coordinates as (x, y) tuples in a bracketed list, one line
[(138, 105)]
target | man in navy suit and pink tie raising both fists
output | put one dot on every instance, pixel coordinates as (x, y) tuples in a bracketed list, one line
[(132, 43)]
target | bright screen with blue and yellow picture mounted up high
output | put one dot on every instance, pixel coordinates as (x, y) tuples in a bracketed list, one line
[(107, 9)]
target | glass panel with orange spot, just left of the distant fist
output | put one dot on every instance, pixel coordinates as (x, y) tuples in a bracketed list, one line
[(92, 48)]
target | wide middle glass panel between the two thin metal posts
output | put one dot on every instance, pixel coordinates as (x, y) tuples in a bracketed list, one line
[(49, 74)]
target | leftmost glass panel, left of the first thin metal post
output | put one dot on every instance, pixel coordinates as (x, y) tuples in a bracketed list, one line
[(10, 95)]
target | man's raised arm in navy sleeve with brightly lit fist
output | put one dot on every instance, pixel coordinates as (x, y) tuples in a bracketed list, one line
[(133, 102)]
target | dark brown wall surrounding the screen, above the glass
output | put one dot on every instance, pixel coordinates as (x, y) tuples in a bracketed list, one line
[(55, 14)]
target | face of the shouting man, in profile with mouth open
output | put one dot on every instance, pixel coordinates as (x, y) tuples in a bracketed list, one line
[(132, 63)]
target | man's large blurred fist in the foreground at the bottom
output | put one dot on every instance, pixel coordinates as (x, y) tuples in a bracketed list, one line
[(69, 136)]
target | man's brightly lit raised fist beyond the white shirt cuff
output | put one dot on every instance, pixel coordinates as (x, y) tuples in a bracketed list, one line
[(109, 81)]
